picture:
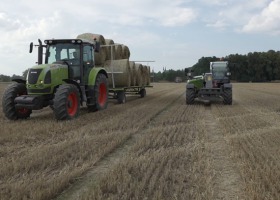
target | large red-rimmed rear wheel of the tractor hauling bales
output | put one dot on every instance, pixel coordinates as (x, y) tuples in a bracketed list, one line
[(100, 94)]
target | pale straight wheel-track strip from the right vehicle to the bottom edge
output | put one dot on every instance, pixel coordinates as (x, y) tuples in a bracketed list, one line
[(227, 182)]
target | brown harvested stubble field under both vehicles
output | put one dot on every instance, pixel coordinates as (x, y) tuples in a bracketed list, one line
[(156, 147)]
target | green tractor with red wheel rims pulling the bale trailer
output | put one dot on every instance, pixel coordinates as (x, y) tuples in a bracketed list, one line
[(66, 80)]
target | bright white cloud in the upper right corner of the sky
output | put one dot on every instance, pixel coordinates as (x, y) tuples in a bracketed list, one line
[(268, 21)]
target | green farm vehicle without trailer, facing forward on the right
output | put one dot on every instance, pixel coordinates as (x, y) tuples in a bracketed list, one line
[(210, 86)]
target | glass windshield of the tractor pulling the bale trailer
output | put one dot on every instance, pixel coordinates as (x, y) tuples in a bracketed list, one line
[(63, 51)]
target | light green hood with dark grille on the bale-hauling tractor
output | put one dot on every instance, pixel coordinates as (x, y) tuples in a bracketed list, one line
[(42, 79)]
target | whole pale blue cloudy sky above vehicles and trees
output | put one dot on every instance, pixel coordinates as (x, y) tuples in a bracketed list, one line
[(175, 34)]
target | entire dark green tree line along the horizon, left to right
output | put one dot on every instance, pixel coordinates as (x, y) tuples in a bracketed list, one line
[(254, 67)]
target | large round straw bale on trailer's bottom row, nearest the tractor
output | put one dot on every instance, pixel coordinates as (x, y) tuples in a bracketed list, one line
[(119, 71)]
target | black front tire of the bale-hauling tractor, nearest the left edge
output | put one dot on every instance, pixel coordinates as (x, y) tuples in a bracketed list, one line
[(11, 112)]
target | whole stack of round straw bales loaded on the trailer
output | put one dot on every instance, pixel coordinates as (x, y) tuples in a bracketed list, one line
[(115, 59)]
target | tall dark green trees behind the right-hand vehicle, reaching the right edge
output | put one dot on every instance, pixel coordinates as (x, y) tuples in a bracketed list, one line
[(255, 66)]
